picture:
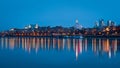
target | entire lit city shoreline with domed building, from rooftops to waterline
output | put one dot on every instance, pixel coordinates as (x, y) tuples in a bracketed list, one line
[(100, 29)]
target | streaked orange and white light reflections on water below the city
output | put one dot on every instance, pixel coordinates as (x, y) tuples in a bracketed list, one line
[(98, 46)]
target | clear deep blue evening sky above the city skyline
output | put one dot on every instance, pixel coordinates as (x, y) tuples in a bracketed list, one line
[(18, 13)]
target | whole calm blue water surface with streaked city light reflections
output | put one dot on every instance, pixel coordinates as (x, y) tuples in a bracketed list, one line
[(59, 53)]
